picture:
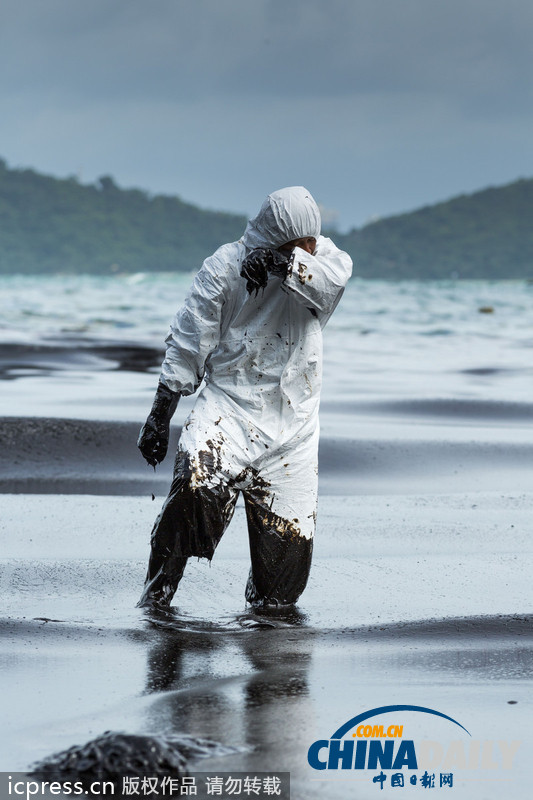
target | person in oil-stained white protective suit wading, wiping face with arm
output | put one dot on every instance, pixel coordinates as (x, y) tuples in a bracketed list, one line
[(251, 327)]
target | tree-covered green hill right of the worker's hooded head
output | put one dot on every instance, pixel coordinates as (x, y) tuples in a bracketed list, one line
[(488, 234)]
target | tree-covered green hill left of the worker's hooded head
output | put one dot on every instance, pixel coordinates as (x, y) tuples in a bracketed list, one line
[(52, 225)]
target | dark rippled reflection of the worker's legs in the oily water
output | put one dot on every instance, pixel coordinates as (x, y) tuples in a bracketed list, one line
[(232, 690)]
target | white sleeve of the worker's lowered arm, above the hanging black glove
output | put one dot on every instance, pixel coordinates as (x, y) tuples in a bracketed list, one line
[(195, 331)]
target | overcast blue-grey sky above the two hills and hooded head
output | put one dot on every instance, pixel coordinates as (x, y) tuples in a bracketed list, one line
[(376, 106)]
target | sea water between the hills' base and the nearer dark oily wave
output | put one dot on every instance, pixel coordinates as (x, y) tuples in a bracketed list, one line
[(83, 345)]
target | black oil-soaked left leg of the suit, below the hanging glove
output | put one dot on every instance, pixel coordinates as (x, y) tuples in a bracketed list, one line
[(192, 522)]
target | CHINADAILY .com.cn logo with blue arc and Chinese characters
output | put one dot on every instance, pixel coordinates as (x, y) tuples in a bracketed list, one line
[(388, 746)]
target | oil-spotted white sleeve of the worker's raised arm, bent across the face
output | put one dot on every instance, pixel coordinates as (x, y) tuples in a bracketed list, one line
[(318, 281)]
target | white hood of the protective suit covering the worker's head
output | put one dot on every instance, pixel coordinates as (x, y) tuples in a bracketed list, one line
[(287, 214)]
